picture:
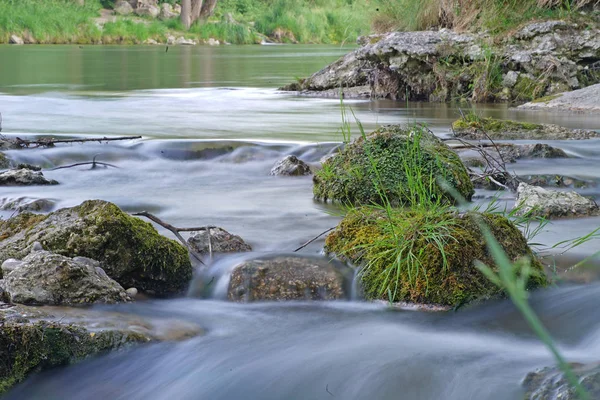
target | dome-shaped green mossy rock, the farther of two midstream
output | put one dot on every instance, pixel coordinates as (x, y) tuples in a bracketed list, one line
[(349, 176)]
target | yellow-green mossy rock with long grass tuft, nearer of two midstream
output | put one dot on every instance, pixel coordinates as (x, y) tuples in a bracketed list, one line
[(366, 238)]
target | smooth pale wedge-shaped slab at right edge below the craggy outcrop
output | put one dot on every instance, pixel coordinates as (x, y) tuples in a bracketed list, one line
[(582, 100)]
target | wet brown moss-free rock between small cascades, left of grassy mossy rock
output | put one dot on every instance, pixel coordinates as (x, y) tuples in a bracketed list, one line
[(289, 278)]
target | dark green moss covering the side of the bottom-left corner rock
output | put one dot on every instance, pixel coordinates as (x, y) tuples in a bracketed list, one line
[(30, 347)]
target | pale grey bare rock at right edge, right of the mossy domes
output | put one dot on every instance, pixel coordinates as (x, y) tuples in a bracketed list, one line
[(536, 201)]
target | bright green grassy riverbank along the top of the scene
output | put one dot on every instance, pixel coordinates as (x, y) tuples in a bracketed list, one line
[(301, 21)]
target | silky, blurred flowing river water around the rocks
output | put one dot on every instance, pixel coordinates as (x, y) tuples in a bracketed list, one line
[(213, 124)]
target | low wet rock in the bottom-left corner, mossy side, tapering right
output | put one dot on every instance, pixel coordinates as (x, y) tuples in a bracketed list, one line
[(34, 339)]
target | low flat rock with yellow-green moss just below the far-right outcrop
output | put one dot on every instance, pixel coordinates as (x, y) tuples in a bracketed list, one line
[(483, 128)]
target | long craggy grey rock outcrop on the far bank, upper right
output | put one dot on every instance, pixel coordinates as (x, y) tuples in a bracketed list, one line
[(538, 60)]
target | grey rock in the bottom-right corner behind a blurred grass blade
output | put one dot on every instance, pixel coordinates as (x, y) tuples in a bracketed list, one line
[(550, 383)]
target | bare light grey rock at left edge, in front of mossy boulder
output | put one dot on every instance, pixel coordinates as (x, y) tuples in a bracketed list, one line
[(49, 278)]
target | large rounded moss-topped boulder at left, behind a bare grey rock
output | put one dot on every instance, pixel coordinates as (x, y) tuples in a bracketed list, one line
[(131, 251)]
